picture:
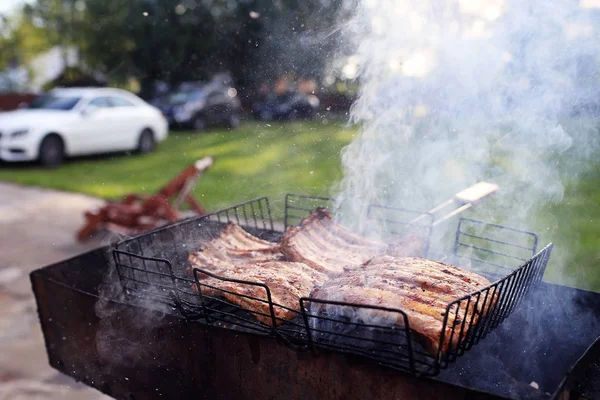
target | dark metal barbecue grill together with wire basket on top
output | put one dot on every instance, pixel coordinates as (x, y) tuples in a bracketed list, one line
[(151, 323)]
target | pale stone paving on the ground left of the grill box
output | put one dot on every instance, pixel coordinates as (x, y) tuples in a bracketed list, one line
[(37, 228)]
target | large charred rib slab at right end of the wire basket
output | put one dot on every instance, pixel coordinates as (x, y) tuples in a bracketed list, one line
[(420, 288)]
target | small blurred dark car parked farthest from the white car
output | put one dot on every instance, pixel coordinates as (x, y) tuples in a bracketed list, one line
[(286, 106)]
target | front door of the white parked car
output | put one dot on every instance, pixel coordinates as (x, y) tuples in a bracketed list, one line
[(94, 134)]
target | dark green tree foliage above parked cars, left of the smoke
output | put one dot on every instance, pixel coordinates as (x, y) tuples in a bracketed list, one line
[(176, 41)]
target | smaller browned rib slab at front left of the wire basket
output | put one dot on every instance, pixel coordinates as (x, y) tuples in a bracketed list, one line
[(287, 282)]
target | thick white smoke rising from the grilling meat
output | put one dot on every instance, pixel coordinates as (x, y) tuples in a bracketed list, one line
[(458, 91)]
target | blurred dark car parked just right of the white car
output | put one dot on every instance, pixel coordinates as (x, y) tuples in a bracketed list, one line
[(200, 107)]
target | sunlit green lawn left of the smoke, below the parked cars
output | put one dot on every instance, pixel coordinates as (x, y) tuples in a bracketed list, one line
[(256, 160)]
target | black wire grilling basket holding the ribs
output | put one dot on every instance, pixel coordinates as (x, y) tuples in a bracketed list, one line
[(153, 269)]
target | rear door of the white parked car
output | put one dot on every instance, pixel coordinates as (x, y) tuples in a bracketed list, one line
[(130, 120)]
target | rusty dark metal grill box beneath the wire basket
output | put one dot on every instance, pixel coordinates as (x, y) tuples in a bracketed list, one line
[(133, 352)]
